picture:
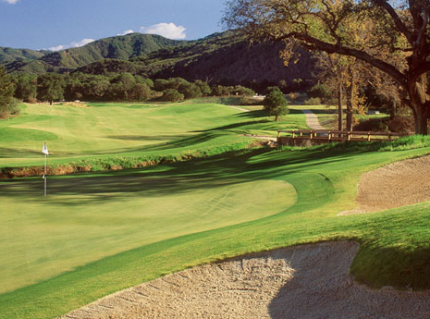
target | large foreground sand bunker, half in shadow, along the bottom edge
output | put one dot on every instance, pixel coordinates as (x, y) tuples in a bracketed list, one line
[(309, 281)]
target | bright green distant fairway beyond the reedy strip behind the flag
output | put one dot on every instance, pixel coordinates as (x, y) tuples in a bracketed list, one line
[(109, 131)]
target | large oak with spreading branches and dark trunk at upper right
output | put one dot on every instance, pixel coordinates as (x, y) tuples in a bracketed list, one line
[(392, 36)]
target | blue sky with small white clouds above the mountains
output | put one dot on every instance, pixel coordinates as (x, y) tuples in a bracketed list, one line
[(58, 24)]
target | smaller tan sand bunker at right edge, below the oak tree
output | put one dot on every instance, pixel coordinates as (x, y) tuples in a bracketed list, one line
[(398, 184)]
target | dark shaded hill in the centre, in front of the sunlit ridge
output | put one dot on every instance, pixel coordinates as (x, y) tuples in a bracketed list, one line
[(223, 58)]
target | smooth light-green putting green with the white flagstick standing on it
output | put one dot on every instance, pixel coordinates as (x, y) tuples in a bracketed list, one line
[(86, 219)]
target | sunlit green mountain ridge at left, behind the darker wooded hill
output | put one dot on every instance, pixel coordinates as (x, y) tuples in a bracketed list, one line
[(119, 47)]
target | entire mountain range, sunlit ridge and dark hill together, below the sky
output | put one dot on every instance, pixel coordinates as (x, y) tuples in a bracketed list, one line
[(222, 58)]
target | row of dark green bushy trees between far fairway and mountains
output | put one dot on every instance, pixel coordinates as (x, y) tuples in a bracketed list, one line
[(52, 87)]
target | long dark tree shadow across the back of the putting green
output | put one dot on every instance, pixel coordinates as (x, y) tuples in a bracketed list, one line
[(217, 171)]
